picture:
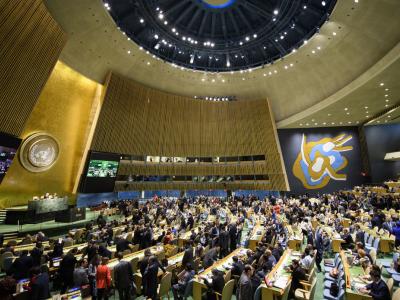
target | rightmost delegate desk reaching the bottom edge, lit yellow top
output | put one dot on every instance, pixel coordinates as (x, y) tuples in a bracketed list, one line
[(353, 280)]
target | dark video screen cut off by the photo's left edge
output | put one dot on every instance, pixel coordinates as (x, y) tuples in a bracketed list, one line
[(8, 148)]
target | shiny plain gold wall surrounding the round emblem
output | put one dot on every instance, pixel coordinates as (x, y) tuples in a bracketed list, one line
[(64, 110)]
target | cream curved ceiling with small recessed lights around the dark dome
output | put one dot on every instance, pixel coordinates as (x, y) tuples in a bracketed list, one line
[(343, 70)]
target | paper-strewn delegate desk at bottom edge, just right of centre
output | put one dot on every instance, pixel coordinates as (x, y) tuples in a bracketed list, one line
[(279, 280)]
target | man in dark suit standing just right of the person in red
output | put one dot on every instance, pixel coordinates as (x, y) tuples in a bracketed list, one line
[(123, 276)]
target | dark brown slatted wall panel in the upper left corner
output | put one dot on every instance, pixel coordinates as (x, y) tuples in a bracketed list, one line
[(30, 44)]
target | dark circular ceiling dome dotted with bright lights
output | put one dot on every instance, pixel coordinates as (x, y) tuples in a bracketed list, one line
[(220, 35)]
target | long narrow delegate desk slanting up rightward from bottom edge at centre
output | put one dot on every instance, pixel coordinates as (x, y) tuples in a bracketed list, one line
[(223, 265)]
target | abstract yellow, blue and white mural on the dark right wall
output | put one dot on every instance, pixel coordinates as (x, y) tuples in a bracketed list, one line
[(320, 161)]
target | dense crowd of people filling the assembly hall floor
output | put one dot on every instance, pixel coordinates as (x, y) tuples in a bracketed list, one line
[(225, 225)]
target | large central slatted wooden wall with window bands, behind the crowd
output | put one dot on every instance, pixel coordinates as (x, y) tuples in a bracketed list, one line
[(139, 120)]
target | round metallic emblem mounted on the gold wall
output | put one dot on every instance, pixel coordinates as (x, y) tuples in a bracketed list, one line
[(39, 152)]
